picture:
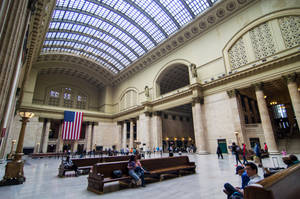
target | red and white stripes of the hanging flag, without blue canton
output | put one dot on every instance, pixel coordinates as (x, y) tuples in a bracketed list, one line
[(71, 130)]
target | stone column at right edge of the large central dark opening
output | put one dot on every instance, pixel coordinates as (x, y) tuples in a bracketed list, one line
[(199, 129)]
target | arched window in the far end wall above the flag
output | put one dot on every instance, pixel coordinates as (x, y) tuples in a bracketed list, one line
[(66, 97)]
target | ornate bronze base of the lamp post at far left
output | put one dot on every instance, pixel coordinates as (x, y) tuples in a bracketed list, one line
[(13, 173)]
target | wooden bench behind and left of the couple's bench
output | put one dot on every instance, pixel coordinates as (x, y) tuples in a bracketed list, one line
[(85, 164)]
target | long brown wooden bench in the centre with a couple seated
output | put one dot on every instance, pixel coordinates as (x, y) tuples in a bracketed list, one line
[(103, 173)]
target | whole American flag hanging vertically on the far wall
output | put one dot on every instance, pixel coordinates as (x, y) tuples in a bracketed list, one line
[(72, 125)]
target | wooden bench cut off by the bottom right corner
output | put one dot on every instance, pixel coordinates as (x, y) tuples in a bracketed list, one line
[(282, 185)]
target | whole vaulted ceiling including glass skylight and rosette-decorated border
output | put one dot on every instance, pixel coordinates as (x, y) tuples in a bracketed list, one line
[(120, 37)]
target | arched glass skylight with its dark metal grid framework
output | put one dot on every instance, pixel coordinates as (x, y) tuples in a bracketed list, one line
[(115, 33)]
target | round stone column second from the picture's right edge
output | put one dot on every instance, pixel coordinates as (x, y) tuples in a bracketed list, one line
[(265, 120)]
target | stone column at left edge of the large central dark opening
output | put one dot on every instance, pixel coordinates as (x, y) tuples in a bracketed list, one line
[(157, 130)]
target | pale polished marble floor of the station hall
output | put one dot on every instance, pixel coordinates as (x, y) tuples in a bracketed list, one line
[(211, 174)]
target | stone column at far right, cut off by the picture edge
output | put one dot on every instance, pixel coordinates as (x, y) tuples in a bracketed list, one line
[(294, 95)]
